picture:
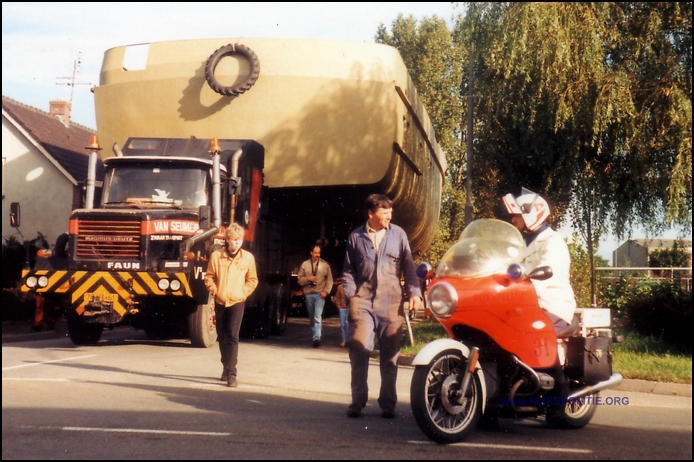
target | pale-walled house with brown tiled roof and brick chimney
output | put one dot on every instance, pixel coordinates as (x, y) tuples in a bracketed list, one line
[(44, 168)]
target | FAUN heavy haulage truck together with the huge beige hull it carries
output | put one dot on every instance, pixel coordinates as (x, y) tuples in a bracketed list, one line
[(284, 137)]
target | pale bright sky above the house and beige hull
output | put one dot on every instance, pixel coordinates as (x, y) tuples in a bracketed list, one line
[(45, 44)]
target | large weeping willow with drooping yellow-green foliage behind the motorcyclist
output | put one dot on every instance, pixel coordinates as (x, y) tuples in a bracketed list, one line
[(590, 105)]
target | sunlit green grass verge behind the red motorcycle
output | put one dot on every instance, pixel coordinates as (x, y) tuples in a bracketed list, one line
[(639, 357)]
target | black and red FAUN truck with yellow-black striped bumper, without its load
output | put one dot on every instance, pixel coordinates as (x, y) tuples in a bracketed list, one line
[(141, 255)]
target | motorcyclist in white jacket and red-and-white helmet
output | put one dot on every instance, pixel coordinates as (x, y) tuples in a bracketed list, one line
[(545, 247)]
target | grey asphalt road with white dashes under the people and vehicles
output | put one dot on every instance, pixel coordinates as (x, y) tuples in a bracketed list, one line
[(132, 398)]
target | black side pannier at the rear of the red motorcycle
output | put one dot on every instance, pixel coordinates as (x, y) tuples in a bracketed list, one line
[(589, 359)]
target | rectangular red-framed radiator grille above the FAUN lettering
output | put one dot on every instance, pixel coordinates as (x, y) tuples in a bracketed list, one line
[(108, 238)]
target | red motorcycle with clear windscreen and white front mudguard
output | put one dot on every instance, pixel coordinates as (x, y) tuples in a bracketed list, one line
[(503, 358)]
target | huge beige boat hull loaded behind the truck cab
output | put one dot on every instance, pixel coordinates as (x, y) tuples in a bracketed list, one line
[(329, 114)]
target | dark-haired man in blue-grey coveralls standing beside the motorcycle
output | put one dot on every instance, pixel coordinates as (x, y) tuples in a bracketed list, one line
[(378, 256)]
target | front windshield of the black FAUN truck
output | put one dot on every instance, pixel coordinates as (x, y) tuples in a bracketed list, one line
[(144, 185)]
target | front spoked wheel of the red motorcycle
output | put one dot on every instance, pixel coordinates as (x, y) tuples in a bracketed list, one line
[(442, 415)]
